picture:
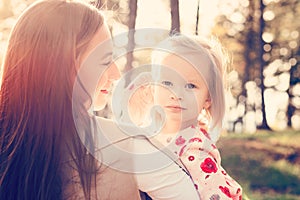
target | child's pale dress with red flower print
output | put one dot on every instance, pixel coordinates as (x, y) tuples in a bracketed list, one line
[(201, 158)]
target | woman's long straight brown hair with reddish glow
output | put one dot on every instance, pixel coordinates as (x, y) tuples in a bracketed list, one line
[(37, 130)]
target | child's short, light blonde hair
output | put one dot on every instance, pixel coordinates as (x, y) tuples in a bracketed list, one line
[(198, 50)]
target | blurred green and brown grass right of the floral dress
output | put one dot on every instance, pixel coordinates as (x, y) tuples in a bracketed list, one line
[(266, 164)]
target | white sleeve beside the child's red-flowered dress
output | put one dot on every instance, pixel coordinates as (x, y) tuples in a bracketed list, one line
[(166, 183)]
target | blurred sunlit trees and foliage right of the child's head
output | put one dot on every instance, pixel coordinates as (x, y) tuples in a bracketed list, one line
[(263, 39)]
